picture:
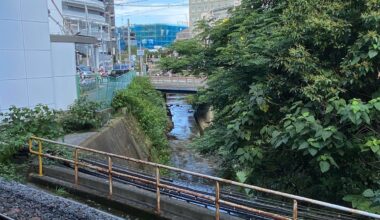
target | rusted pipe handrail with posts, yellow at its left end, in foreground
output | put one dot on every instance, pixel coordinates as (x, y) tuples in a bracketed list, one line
[(215, 198)]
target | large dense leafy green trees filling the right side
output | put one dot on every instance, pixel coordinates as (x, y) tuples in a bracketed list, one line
[(295, 89)]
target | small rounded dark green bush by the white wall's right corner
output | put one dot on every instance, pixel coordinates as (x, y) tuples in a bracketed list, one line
[(82, 115)]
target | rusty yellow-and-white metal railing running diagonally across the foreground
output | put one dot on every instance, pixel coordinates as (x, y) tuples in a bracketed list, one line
[(218, 198)]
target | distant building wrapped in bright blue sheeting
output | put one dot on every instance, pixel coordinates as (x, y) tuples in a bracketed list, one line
[(151, 36)]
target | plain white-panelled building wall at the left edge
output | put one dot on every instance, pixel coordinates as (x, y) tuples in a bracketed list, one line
[(32, 69)]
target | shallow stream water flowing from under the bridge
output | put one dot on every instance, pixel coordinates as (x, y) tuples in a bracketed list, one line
[(184, 130)]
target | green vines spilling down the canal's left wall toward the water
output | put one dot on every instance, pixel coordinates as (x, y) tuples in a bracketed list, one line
[(148, 106)]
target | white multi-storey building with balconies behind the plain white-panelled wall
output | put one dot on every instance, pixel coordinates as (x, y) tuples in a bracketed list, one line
[(94, 18)]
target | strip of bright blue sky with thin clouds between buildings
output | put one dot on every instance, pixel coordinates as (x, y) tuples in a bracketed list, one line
[(151, 12)]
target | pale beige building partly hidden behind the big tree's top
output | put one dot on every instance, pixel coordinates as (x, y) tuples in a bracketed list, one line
[(209, 9)]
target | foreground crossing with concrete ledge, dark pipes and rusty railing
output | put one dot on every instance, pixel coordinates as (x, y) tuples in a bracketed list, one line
[(166, 196)]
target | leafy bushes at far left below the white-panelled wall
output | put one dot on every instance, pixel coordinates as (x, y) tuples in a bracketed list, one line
[(21, 123)]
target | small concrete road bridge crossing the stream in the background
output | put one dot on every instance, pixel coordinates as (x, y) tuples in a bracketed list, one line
[(179, 84)]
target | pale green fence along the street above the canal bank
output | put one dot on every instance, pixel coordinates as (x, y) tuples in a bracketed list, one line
[(102, 89)]
